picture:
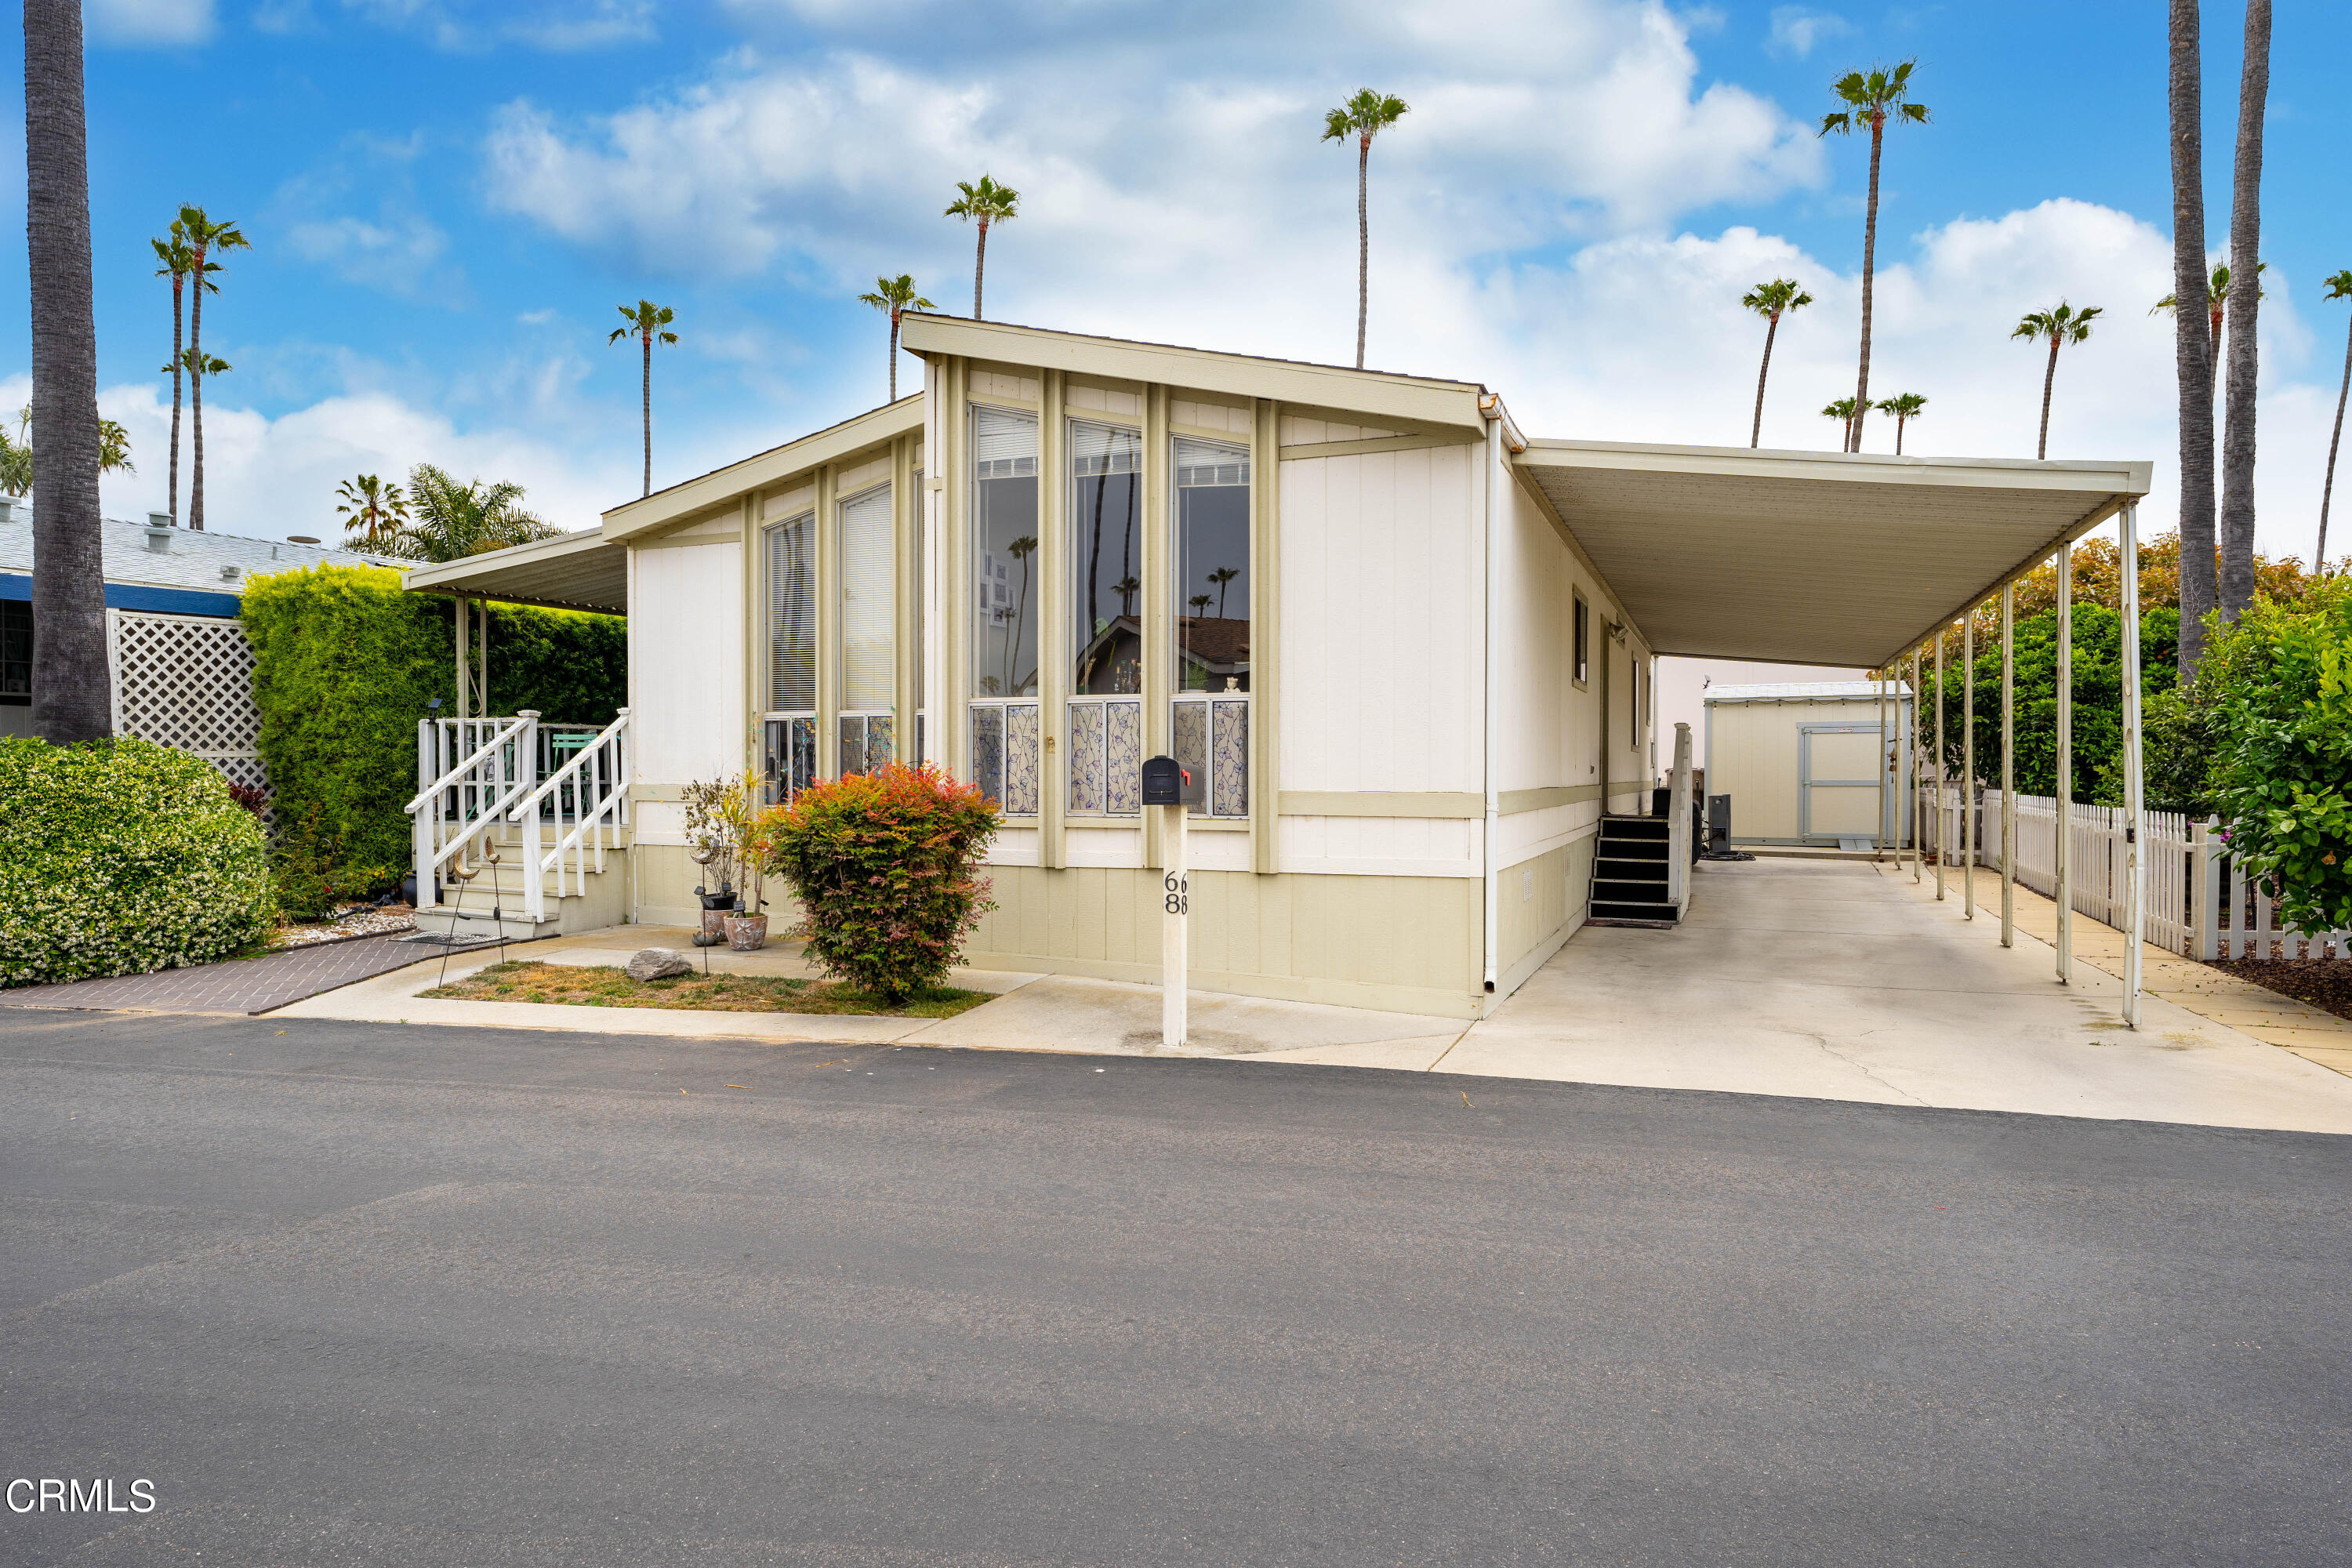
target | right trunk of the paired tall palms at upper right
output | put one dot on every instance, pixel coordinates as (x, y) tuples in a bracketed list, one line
[(2245, 304)]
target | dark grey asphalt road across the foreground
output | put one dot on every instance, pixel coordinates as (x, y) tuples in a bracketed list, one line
[(361, 1294)]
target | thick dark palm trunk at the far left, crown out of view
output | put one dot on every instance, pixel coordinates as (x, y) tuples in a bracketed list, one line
[(72, 692)]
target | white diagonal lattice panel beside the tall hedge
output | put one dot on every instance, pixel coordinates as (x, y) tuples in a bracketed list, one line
[(189, 683)]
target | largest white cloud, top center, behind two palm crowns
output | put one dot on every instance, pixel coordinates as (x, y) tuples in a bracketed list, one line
[(1151, 154)]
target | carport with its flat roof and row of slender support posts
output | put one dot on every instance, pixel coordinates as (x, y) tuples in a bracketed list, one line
[(1824, 558)]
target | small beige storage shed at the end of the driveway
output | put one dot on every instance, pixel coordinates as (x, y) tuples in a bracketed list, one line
[(1812, 763)]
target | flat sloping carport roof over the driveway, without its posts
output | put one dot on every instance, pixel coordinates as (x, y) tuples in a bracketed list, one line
[(1812, 558)]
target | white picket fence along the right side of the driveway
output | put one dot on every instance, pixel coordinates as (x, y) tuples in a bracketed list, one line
[(2198, 902)]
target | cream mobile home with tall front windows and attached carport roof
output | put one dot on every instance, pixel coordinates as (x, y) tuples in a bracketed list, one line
[(1408, 648)]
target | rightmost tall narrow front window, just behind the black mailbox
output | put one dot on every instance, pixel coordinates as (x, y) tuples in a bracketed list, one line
[(1210, 723)]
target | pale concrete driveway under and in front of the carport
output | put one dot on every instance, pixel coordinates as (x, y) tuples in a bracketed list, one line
[(1845, 981)]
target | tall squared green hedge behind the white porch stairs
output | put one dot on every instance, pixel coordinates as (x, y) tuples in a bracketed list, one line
[(345, 664)]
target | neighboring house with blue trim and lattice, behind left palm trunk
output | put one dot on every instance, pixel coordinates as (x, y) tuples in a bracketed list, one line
[(182, 669)]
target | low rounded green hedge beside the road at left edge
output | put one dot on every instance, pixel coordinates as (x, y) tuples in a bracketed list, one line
[(119, 859)]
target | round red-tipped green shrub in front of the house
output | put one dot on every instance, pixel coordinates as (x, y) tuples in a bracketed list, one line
[(883, 873)]
